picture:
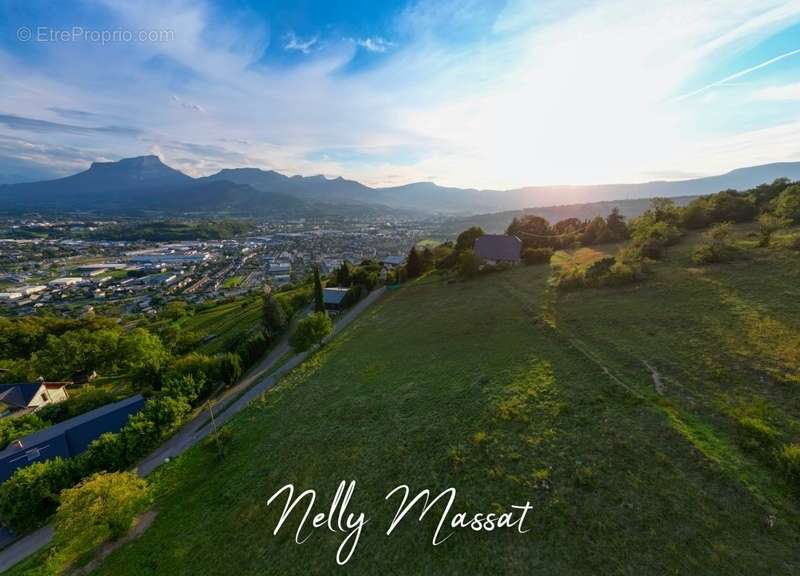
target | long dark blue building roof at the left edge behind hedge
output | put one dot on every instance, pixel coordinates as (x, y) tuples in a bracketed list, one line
[(68, 438)]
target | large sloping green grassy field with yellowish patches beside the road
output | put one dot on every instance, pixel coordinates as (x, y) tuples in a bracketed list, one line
[(618, 413)]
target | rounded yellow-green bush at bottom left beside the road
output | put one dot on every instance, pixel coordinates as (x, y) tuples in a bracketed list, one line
[(103, 506)]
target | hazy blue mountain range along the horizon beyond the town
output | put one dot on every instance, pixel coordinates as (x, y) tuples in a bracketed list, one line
[(145, 184)]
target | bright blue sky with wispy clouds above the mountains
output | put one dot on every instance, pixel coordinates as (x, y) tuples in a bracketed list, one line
[(466, 93)]
